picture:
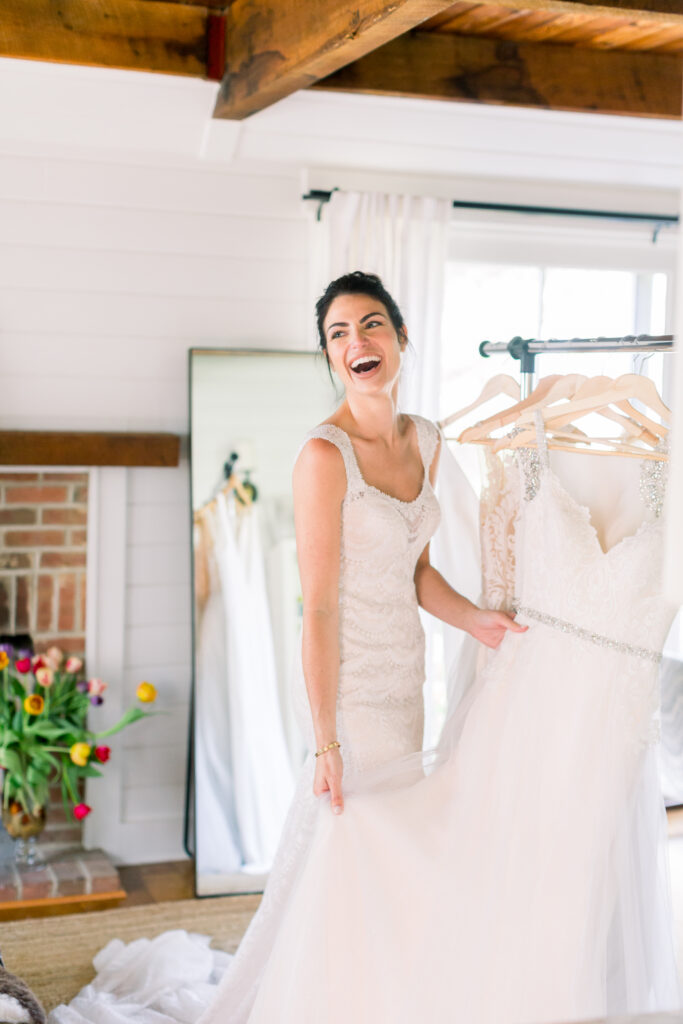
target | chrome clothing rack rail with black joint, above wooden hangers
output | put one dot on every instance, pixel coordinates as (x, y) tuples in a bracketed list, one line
[(527, 350)]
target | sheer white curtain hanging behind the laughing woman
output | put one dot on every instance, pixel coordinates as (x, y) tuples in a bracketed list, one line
[(404, 239)]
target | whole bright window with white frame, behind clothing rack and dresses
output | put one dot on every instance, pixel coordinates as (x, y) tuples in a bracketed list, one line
[(541, 279)]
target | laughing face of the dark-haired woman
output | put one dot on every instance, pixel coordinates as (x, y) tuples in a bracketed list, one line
[(364, 348)]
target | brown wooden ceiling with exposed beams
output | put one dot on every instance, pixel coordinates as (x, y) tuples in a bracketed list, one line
[(621, 57)]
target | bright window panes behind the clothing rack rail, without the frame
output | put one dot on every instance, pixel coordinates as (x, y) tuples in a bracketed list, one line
[(497, 303)]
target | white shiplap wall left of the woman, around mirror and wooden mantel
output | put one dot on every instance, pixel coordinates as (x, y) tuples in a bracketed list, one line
[(109, 273)]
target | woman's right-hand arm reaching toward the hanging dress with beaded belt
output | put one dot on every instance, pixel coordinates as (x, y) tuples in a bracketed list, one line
[(438, 598)]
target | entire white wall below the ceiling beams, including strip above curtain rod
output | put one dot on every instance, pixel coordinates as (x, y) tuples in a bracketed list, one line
[(134, 228)]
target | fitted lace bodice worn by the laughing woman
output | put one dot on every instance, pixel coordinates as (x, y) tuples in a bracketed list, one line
[(381, 672)]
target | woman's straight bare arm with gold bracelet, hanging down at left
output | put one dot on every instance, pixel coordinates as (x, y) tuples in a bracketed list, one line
[(320, 485)]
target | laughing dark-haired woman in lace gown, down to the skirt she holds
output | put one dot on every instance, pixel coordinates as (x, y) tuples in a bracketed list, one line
[(355, 673)]
